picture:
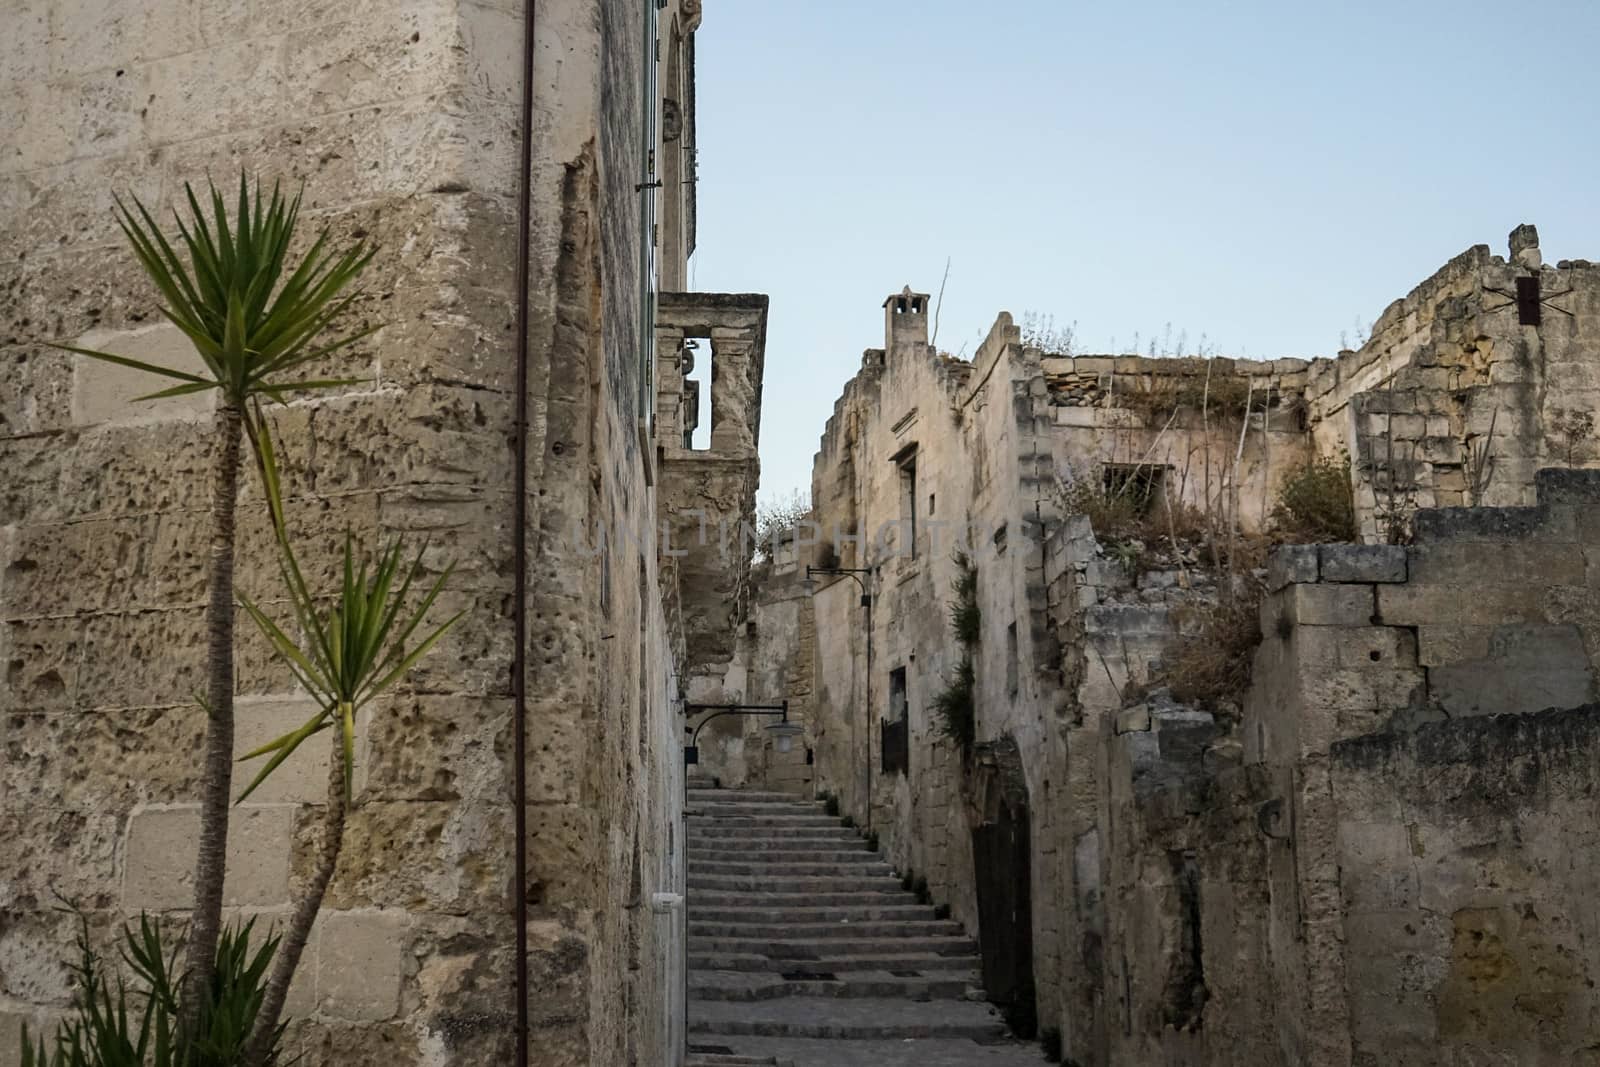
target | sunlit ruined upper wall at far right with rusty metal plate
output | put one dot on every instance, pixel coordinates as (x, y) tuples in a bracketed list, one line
[(1465, 391)]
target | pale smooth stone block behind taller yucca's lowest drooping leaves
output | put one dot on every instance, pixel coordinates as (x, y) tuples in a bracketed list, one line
[(106, 393)]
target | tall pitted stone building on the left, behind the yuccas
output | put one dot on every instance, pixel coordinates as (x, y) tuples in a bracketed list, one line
[(406, 124)]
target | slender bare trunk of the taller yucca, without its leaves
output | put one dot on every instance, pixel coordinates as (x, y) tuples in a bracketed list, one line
[(218, 770)]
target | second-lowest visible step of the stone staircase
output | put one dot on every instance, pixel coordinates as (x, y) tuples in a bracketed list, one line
[(854, 1020)]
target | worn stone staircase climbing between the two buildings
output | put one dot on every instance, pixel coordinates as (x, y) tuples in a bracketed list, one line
[(799, 933)]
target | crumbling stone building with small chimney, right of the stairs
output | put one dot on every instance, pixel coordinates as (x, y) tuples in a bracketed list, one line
[(1382, 853)]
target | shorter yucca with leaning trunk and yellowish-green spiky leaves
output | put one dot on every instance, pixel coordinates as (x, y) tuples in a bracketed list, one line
[(354, 645)]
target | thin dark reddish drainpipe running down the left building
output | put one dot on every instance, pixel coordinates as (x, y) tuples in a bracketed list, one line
[(519, 666)]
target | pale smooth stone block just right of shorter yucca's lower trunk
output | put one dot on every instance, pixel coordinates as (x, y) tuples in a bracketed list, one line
[(361, 964)]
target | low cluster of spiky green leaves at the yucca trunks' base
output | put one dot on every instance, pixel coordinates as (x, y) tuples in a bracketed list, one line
[(111, 1029)]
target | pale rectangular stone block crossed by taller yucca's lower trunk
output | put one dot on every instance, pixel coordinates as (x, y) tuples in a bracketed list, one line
[(161, 858)]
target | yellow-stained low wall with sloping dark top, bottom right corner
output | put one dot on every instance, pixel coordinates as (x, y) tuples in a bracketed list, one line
[(1468, 884)]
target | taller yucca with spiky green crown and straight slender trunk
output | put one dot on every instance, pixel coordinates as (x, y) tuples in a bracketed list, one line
[(255, 324)]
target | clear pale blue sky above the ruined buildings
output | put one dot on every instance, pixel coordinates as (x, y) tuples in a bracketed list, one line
[(1268, 174)]
